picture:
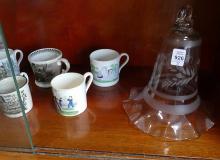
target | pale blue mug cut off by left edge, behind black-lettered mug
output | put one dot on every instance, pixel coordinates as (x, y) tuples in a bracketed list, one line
[(16, 57)]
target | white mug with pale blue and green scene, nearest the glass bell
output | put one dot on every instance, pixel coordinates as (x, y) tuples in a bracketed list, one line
[(105, 66)]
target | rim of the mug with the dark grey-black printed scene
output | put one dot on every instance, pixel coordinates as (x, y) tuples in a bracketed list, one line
[(45, 61)]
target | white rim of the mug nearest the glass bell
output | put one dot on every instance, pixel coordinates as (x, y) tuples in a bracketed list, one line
[(98, 51)]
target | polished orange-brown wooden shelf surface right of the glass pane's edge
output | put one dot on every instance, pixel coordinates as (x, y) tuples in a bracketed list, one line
[(104, 131)]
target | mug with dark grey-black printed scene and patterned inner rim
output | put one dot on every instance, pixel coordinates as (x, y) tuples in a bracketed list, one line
[(46, 63)]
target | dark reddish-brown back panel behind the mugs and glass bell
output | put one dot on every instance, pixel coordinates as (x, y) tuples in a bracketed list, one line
[(78, 27)]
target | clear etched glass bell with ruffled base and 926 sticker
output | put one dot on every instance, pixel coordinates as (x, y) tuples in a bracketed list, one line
[(169, 106)]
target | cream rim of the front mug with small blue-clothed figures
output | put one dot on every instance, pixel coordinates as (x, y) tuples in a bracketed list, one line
[(53, 86)]
